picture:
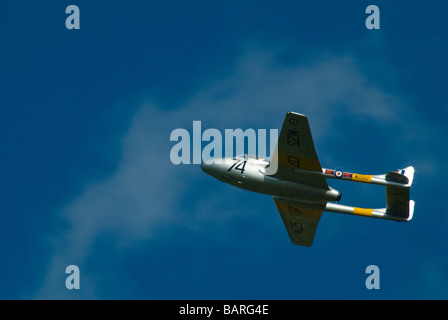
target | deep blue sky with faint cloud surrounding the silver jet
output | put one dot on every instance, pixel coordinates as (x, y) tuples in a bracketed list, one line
[(86, 117)]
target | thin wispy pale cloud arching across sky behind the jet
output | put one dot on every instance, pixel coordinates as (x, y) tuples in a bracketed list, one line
[(147, 192)]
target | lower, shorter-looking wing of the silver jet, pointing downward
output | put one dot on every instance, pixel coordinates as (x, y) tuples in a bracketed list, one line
[(300, 223)]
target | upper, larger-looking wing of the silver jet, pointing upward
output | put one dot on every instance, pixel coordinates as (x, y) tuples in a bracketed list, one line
[(294, 154)]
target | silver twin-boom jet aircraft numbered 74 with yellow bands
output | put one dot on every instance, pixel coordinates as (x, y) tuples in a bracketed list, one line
[(298, 183)]
